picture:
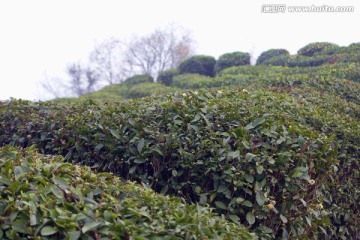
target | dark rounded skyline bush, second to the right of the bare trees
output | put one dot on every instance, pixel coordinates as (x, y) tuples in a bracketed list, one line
[(232, 59)]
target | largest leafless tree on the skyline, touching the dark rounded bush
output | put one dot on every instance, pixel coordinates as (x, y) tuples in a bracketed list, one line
[(161, 50)]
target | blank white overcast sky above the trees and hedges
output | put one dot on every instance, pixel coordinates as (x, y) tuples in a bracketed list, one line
[(40, 37)]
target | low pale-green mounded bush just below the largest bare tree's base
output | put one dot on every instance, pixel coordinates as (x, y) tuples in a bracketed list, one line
[(146, 89)]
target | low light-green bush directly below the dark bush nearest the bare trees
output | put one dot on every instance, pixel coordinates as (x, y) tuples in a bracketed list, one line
[(192, 81)]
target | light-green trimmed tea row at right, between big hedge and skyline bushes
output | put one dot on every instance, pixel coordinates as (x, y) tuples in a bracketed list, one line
[(340, 79)]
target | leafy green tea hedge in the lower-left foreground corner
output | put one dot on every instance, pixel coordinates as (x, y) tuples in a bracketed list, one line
[(44, 198)]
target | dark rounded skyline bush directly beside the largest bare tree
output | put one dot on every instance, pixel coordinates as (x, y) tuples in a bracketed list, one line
[(203, 65)]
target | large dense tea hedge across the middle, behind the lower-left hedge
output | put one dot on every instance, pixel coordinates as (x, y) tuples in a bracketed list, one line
[(264, 159)]
